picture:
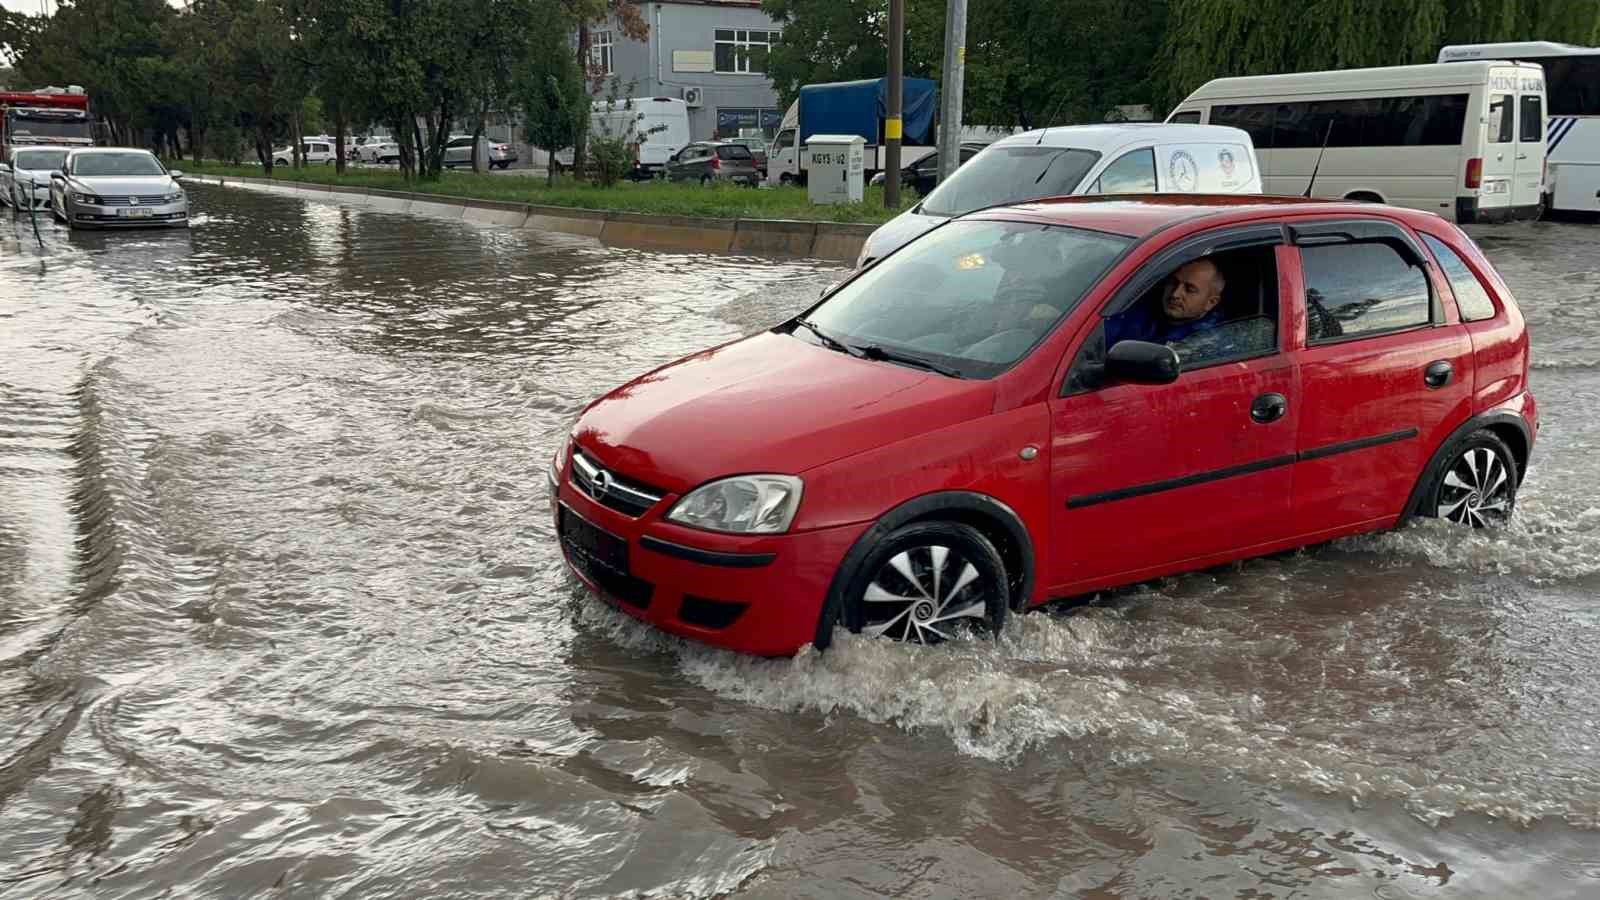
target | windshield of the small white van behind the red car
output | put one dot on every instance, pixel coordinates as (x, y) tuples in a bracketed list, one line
[(1010, 175)]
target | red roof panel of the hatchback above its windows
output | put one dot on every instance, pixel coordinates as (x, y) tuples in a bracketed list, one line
[(1140, 215)]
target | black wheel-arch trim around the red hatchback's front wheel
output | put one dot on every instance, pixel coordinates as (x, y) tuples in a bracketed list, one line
[(956, 505)]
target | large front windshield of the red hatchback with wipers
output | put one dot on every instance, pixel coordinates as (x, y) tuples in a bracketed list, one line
[(972, 297)]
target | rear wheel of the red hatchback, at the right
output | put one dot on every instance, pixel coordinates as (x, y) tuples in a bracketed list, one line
[(1476, 483)]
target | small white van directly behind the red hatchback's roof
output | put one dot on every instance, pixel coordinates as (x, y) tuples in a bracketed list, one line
[(1081, 159)]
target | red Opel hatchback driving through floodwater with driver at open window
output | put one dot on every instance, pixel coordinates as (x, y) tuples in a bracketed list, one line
[(948, 436)]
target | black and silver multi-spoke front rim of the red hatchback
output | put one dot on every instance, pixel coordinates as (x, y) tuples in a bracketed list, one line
[(924, 595)]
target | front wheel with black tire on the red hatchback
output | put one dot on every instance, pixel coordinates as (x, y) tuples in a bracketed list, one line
[(926, 581)]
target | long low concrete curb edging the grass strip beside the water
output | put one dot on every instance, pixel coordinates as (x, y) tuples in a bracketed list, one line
[(778, 238)]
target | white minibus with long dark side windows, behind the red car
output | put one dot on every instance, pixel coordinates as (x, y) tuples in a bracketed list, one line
[(1463, 140)]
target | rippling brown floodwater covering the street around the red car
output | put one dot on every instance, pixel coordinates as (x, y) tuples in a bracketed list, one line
[(282, 614)]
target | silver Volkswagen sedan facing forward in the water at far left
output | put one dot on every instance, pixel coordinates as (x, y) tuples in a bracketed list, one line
[(118, 188)]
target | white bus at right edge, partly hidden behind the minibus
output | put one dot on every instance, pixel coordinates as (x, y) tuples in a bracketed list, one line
[(1572, 81)]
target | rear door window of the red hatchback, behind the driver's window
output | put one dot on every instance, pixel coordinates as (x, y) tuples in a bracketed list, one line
[(1362, 289)]
